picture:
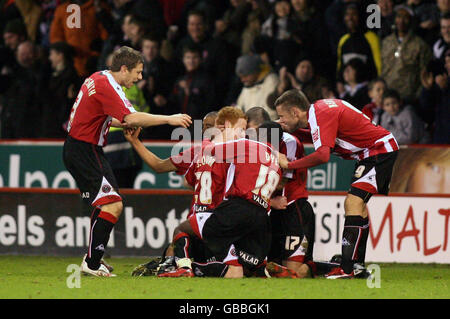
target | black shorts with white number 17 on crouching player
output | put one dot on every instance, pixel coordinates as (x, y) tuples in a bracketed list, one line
[(288, 235)]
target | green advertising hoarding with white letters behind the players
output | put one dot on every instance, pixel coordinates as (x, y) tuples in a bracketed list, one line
[(39, 164)]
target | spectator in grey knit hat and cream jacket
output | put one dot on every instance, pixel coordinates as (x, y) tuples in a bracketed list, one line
[(258, 83)]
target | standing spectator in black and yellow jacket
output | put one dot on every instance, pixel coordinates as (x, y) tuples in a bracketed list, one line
[(358, 43)]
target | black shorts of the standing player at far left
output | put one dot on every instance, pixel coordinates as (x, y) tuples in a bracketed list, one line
[(94, 176)]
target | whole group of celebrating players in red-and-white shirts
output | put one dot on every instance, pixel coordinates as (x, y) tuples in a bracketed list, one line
[(250, 214)]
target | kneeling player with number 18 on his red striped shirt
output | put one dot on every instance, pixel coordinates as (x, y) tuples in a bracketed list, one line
[(238, 230)]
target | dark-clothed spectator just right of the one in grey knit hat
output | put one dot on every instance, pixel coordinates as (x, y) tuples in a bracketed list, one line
[(305, 79)]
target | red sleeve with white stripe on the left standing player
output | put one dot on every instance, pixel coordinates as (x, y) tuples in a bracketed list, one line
[(112, 98)]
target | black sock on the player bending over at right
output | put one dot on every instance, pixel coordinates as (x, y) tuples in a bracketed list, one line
[(351, 240)]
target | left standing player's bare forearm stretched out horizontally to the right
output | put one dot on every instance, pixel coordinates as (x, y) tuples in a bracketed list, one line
[(145, 119)]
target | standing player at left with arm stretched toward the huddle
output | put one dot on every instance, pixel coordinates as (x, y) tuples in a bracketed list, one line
[(101, 103)]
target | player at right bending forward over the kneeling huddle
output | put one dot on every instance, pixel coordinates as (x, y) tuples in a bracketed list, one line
[(336, 126)]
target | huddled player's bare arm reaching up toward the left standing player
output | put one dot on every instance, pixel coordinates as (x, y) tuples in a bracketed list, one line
[(157, 164)]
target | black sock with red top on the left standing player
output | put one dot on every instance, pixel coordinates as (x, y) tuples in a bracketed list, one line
[(100, 230)]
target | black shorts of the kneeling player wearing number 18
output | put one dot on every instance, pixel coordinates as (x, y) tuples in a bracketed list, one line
[(236, 222)]
